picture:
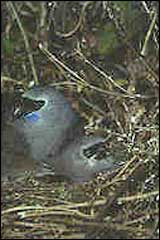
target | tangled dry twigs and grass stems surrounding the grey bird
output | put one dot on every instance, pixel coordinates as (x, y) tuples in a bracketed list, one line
[(103, 55)]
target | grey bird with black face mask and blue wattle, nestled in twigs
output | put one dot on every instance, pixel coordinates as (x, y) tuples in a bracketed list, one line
[(46, 135)]
